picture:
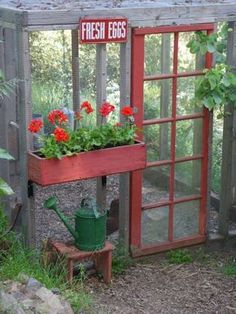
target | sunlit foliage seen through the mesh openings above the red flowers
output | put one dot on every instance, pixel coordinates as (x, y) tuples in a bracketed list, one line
[(52, 75)]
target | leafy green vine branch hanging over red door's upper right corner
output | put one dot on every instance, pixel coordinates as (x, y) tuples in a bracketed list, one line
[(216, 88)]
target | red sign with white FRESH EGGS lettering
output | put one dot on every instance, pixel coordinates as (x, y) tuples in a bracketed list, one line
[(94, 31)]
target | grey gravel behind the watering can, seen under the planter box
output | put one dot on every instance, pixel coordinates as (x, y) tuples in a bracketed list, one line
[(69, 197)]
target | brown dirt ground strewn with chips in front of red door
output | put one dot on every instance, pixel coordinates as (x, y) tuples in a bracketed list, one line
[(155, 286)]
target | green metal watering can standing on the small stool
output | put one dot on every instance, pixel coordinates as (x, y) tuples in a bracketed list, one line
[(90, 224)]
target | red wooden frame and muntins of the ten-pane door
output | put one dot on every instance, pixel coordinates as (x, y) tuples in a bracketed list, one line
[(137, 96)]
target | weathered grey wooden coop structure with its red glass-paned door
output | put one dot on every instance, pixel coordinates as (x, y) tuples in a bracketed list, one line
[(177, 217)]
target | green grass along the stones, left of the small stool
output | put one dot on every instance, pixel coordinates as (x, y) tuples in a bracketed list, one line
[(16, 259)]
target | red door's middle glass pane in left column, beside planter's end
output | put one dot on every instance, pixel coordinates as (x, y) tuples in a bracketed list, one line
[(157, 138)]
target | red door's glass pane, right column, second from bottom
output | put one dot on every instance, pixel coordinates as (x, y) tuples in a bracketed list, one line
[(187, 178)]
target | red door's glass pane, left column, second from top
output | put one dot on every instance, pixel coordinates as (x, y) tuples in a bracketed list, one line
[(157, 99)]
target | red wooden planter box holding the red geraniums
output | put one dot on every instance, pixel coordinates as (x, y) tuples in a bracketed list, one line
[(87, 164)]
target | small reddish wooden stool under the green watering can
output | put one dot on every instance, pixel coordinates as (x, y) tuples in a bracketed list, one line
[(102, 258)]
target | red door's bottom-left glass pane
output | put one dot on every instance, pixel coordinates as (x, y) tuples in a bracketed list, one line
[(155, 225)]
